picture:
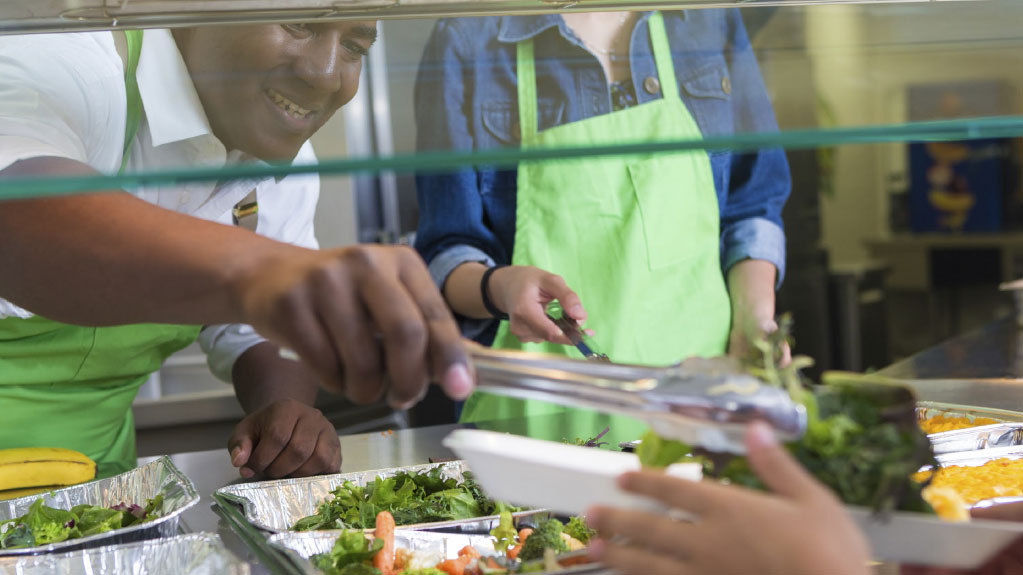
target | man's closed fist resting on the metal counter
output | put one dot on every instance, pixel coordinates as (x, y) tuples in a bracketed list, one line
[(285, 439)]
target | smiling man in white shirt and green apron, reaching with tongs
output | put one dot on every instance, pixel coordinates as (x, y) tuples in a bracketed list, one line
[(98, 290)]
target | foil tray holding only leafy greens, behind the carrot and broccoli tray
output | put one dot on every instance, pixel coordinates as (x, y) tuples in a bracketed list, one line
[(276, 506)]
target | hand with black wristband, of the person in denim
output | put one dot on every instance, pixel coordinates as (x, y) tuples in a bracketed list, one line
[(524, 292)]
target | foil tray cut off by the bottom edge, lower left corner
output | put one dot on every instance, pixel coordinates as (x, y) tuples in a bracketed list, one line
[(195, 554)]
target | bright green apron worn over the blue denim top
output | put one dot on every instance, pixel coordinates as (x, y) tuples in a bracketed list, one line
[(636, 237)]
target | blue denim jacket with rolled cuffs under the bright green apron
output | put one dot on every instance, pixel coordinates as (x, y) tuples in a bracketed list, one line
[(466, 100)]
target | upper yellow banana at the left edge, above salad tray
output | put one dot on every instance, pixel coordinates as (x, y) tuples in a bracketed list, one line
[(39, 467)]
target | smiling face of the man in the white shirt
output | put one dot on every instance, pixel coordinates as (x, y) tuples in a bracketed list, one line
[(268, 95)]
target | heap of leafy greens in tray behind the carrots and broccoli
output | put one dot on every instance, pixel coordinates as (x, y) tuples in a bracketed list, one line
[(412, 498)]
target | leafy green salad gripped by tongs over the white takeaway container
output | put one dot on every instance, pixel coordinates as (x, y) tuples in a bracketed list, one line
[(862, 437)]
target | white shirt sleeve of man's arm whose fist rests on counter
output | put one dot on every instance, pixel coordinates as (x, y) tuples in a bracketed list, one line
[(287, 210)]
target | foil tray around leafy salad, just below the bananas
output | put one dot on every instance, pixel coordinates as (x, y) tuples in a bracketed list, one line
[(135, 486)]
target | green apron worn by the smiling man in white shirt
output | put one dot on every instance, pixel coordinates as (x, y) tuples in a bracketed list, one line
[(68, 386)]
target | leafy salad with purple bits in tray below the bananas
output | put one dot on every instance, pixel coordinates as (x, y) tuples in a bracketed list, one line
[(42, 525)]
